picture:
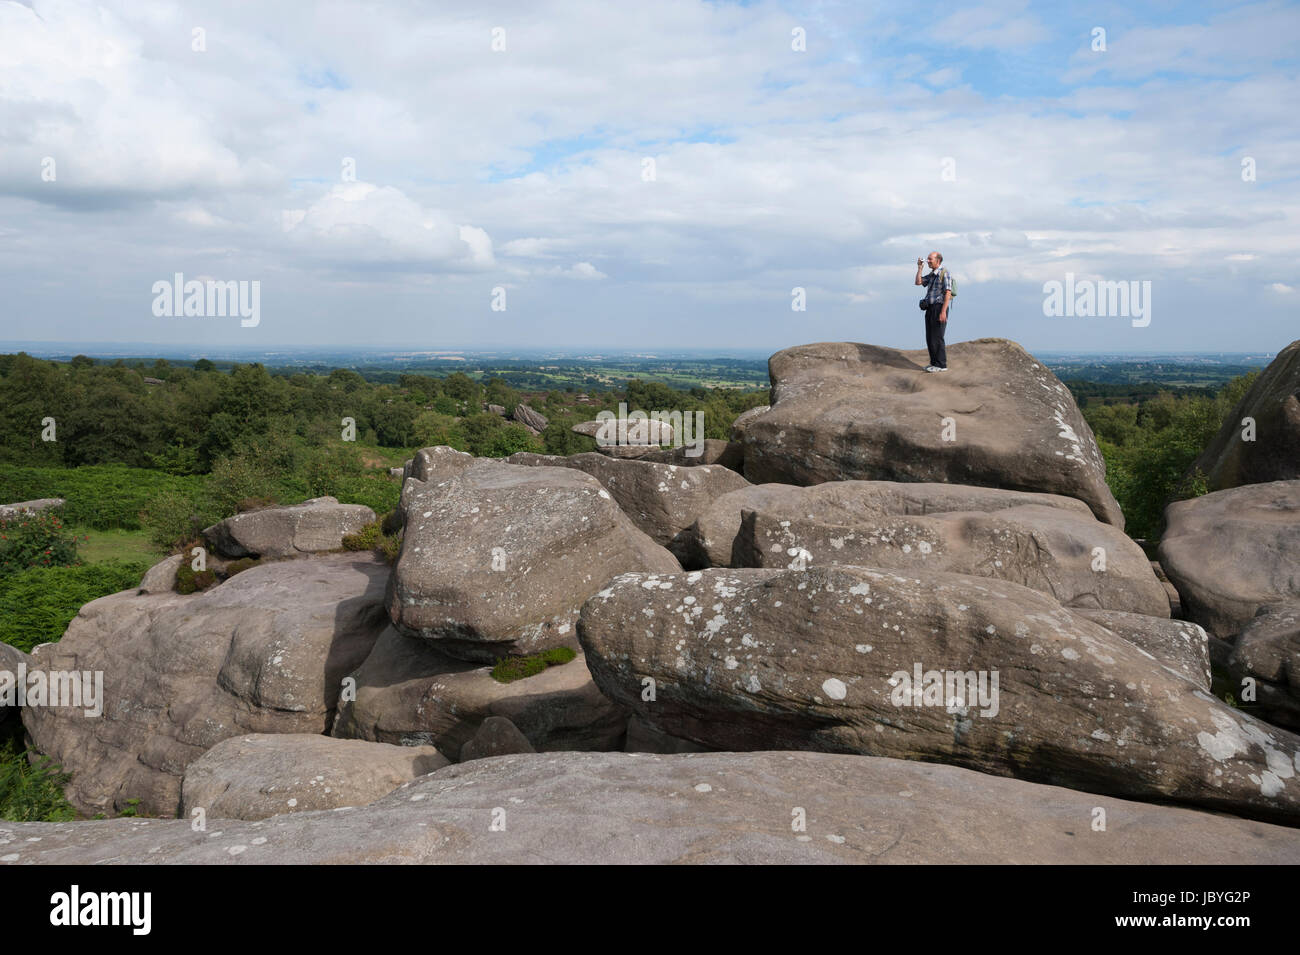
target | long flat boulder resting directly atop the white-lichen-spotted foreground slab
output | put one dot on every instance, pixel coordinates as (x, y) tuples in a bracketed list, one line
[(1074, 558)]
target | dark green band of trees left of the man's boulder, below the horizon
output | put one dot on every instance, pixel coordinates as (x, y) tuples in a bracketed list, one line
[(194, 418)]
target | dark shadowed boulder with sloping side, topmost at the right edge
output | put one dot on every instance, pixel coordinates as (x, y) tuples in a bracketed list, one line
[(1271, 449)]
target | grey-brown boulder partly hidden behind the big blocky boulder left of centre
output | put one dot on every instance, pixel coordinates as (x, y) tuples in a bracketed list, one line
[(662, 500)]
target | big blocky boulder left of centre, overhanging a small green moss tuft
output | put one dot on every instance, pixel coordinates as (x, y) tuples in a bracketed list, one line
[(499, 559)]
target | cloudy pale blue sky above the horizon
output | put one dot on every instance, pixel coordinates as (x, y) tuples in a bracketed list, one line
[(616, 175)]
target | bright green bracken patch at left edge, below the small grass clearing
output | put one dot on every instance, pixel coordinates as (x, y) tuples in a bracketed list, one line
[(37, 605)]
